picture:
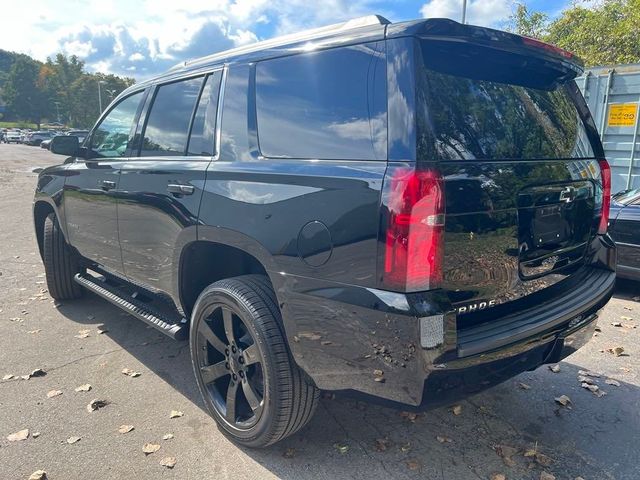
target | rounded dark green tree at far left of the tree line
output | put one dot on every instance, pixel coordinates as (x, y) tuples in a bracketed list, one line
[(24, 92)]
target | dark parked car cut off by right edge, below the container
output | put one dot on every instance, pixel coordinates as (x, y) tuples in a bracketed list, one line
[(624, 227)]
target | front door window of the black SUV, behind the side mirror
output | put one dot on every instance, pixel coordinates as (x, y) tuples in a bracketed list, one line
[(111, 137)]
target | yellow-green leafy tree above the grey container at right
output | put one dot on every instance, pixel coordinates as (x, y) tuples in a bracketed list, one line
[(606, 33)]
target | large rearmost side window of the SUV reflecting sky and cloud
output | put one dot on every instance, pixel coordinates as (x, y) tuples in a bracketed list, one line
[(327, 105)]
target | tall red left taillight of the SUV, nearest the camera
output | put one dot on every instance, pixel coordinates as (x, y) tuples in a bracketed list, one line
[(413, 247)]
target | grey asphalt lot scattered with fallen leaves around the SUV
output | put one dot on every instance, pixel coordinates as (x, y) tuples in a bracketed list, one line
[(516, 429)]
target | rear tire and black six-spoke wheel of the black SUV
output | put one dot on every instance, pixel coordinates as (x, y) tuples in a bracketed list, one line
[(272, 399)]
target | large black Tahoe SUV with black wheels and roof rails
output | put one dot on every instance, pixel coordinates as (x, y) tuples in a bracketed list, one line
[(408, 212)]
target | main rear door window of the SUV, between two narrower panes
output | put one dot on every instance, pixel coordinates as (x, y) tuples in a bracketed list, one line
[(167, 128)]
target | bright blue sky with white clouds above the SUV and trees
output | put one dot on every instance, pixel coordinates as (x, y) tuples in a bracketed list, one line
[(139, 38)]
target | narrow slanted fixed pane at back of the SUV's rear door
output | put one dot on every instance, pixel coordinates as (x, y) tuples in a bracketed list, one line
[(201, 141)]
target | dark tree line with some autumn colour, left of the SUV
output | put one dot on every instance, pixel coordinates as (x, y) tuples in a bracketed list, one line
[(59, 89)]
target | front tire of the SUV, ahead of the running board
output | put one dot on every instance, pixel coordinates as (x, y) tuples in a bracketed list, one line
[(60, 263)]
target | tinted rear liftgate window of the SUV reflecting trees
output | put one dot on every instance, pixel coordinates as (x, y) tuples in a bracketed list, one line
[(475, 105)]
